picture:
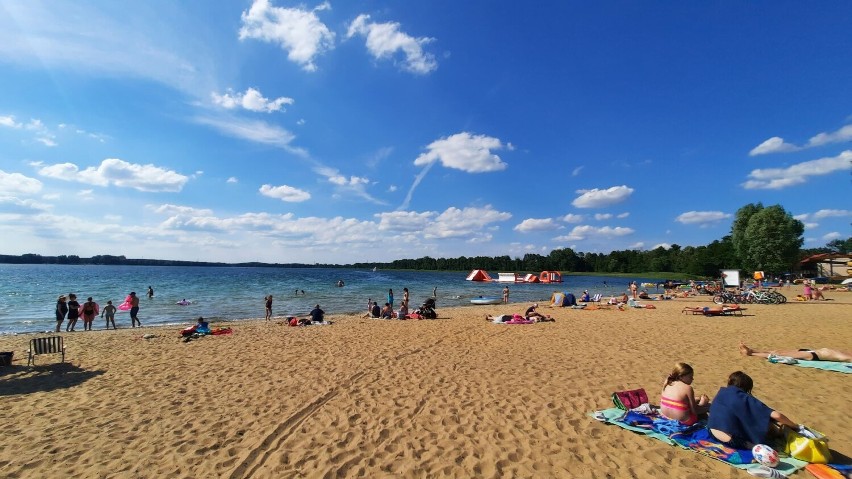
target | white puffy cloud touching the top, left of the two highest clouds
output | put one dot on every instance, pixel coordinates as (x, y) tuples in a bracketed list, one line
[(296, 30)]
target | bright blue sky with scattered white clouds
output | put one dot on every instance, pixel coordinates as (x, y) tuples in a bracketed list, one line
[(341, 132)]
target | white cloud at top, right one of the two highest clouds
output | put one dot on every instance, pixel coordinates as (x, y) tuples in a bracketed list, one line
[(385, 39)]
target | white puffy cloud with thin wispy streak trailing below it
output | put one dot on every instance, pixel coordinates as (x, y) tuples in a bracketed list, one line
[(466, 152)]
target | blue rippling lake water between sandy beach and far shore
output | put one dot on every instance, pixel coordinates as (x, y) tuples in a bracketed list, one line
[(28, 293)]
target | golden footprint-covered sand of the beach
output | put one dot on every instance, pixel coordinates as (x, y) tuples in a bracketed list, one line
[(455, 397)]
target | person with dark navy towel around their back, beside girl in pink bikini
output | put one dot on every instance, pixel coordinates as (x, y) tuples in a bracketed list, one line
[(739, 420)]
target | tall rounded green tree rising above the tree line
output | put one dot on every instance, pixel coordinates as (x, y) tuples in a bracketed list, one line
[(767, 238)]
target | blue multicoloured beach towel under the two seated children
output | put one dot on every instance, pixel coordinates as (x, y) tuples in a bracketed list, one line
[(696, 439)]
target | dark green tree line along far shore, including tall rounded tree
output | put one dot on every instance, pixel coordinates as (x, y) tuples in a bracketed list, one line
[(762, 238)]
